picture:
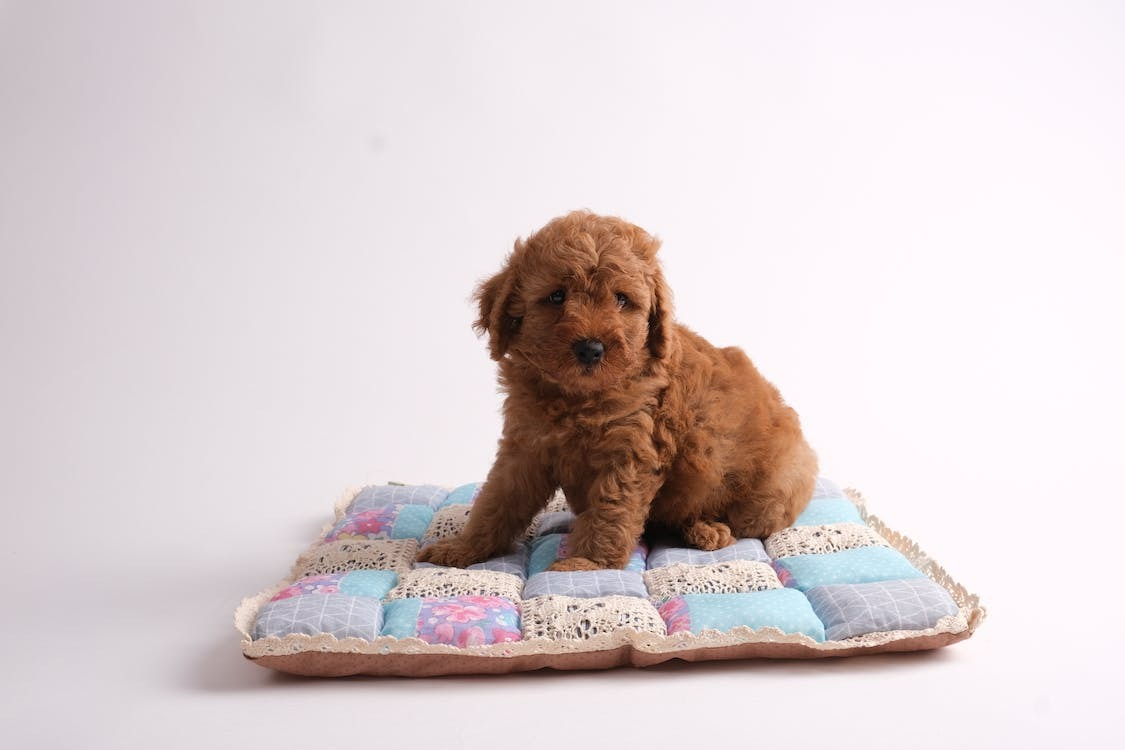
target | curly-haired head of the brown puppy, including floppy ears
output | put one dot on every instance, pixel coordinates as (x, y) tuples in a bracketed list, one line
[(582, 303)]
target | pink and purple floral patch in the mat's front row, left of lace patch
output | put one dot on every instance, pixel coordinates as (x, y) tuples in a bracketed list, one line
[(466, 621)]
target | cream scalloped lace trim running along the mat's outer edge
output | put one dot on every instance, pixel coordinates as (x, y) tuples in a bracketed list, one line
[(969, 618)]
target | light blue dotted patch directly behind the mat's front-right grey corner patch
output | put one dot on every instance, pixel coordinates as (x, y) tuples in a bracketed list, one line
[(862, 566)]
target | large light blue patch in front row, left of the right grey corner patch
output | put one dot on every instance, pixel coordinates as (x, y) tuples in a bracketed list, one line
[(785, 609)]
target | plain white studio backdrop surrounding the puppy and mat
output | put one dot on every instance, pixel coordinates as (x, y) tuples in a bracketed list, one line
[(238, 243)]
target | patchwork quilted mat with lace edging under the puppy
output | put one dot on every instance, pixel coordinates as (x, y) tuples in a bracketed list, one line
[(838, 583)]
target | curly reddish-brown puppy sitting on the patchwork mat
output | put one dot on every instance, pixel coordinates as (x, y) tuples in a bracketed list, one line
[(636, 418)]
